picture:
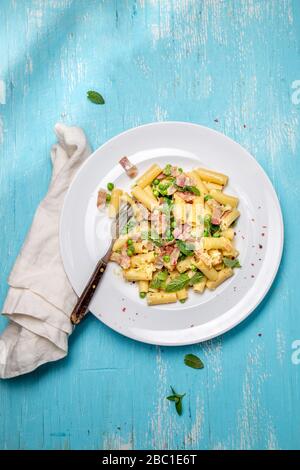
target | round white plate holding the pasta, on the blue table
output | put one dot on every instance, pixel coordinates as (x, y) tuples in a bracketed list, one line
[(259, 234)]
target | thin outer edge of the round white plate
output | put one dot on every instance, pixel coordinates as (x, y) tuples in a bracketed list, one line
[(264, 291)]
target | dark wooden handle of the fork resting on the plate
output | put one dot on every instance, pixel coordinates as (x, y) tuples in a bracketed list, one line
[(84, 300)]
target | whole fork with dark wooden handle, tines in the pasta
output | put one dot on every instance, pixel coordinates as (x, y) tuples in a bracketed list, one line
[(84, 300)]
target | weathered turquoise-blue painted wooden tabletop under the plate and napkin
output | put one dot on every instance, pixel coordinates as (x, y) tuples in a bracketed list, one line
[(233, 65)]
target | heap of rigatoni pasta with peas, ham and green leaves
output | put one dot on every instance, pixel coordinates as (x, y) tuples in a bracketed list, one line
[(180, 237)]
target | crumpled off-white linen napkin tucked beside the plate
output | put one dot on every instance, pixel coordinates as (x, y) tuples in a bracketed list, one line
[(40, 298)]
